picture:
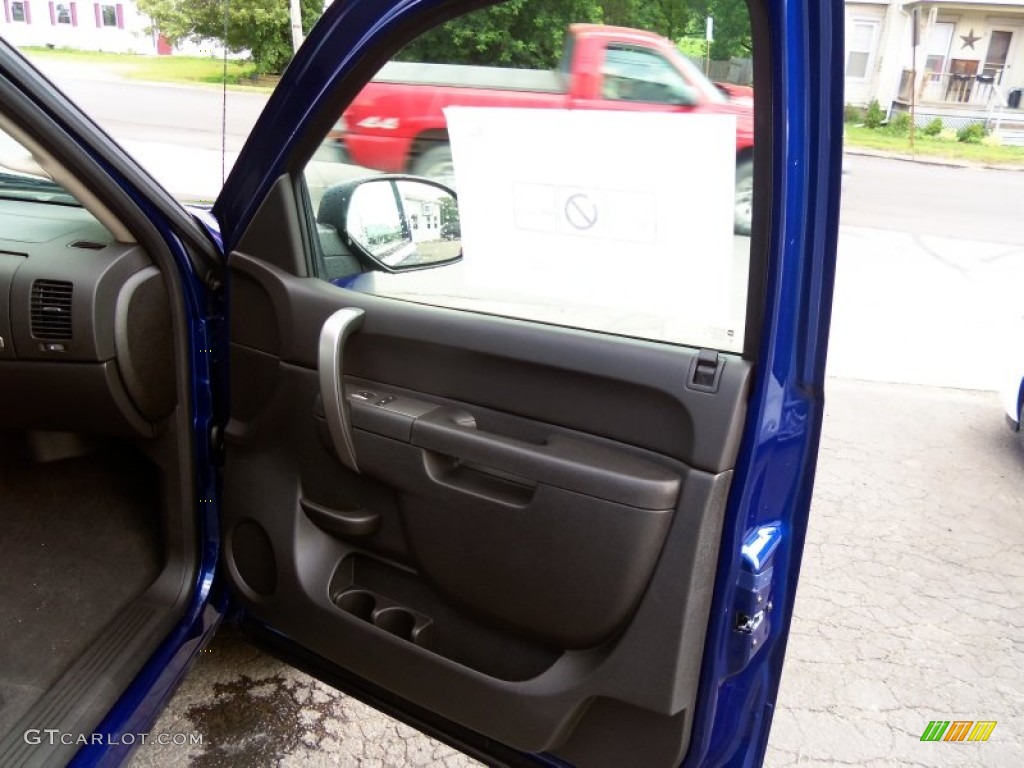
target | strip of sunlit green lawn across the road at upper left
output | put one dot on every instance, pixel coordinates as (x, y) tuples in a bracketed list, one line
[(157, 69)]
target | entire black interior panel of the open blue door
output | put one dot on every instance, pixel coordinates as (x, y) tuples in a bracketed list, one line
[(509, 554)]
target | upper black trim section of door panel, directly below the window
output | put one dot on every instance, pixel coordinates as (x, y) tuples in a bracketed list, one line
[(507, 365)]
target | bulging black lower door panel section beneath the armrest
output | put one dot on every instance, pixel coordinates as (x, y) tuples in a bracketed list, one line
[(558, 566)]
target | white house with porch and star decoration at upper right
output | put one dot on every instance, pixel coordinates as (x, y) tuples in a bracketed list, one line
[(969, 66)]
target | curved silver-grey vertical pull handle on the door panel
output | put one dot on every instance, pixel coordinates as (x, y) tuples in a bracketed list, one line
[(335, 332)]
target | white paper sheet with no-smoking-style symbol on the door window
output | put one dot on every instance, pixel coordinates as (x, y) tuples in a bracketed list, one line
[(620, 210)]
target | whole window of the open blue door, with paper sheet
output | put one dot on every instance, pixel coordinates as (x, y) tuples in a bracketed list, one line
[(601, 179)]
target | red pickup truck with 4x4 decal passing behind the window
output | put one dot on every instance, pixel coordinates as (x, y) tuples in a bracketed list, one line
[(397, 124)]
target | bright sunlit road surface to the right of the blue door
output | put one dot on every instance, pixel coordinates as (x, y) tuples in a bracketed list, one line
[(928, 297)]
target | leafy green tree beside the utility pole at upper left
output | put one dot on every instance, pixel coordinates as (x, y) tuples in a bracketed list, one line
[(262, 27)]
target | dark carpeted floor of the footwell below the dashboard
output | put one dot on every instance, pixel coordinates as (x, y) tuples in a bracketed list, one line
[(79, 539)]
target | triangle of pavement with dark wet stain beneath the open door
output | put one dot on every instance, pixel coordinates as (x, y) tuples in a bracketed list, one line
[(253, 711)]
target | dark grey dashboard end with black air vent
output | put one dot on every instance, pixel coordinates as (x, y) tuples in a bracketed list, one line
[(87, 342)]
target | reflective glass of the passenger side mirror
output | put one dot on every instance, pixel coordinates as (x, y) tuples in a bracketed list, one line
[(404, 224)]
